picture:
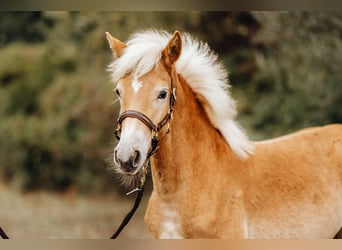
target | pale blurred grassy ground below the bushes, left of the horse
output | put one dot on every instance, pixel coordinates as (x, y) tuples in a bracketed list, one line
[(44, 215)]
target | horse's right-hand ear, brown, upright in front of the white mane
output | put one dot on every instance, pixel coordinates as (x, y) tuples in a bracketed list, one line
[(173, 49)]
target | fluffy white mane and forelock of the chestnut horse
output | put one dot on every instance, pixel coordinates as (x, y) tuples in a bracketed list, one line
[(201, 69)]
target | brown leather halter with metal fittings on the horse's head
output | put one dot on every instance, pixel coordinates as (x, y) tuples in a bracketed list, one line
[(155, 129)]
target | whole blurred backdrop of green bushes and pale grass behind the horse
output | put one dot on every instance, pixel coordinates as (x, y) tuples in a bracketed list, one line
[(58, 111)]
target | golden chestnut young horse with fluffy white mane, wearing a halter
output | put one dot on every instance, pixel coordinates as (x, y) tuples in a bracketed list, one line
[(209, 180)]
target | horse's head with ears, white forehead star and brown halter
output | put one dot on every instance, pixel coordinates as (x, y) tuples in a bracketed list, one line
[(146, 93)]
